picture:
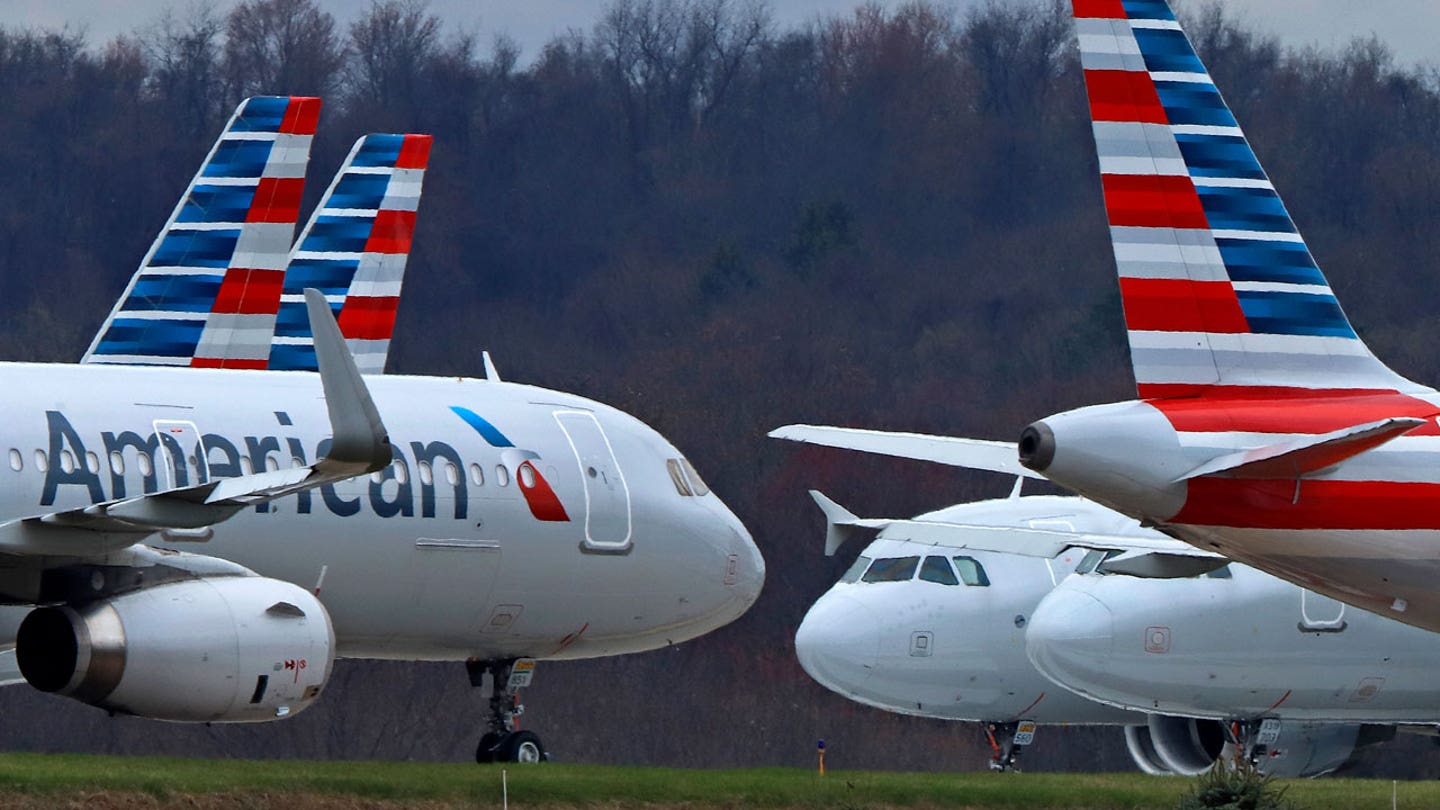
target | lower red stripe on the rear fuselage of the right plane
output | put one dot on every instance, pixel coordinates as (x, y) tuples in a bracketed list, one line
[(1248, 504)]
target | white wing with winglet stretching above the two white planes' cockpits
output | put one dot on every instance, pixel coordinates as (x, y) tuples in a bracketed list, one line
[(1158, 557)]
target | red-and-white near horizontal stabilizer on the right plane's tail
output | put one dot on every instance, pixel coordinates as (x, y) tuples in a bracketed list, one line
[(1307, 455)]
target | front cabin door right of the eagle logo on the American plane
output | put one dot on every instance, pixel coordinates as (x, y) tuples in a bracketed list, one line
[(607, 497)]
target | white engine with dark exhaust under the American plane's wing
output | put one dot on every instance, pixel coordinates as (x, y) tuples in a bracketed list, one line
[(224, 649)]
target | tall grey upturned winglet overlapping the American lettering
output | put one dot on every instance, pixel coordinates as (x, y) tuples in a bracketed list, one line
[(359, 436)]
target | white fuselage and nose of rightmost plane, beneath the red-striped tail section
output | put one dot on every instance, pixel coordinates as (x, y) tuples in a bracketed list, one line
[(1233, 648)]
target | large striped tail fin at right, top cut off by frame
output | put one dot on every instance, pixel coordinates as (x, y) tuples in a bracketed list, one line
[(1220, 290)]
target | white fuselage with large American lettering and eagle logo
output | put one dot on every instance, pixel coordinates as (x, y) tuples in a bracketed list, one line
[(454, 553)]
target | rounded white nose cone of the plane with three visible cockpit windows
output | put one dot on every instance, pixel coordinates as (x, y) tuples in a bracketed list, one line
[(839, 644)]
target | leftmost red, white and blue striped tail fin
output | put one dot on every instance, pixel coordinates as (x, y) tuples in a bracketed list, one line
[(208, 292)]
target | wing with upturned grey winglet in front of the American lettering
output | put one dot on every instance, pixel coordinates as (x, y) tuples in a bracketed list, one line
[(359, 446)]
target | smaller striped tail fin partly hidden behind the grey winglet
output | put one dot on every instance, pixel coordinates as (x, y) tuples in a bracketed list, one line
[(355, 250)]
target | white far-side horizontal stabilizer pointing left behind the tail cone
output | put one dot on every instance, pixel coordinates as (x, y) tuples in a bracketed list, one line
[(971, 453)]
